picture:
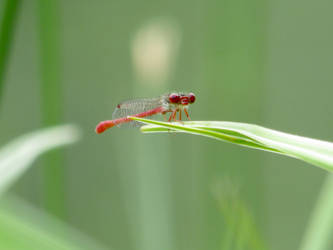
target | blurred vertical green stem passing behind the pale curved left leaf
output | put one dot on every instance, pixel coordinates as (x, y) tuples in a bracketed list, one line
[(51, 97)]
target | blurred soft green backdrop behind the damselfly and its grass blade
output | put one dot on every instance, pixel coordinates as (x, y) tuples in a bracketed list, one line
[(263, 62)]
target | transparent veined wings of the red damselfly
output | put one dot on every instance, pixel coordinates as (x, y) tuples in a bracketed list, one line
[(134, 107)]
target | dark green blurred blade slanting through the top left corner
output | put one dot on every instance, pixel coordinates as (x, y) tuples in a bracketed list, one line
[(6, 33)]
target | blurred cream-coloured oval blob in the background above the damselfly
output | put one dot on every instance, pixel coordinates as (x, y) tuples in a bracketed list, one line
[(154, 49)]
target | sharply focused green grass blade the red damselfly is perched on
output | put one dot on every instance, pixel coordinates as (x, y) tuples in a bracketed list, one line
[(316, 152)]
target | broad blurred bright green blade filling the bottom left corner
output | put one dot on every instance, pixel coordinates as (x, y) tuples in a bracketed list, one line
[(36, 229)]
